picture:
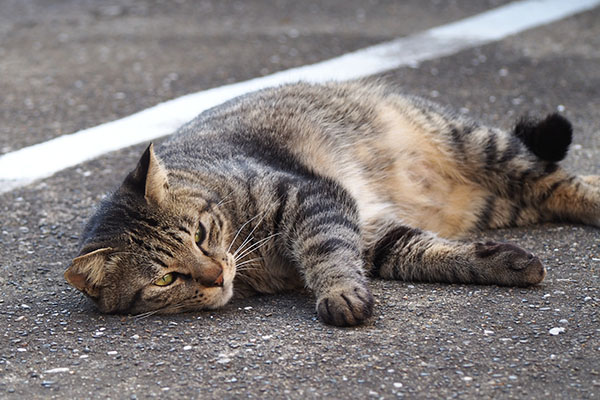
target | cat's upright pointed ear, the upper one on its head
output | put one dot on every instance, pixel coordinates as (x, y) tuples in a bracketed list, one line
[(149, 177)]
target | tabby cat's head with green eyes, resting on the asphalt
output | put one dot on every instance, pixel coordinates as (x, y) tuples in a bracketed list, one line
[(149, 247)]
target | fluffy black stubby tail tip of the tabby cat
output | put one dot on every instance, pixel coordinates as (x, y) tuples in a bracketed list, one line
[(549, 139)]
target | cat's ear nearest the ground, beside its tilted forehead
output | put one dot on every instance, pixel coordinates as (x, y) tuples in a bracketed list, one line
[(87, 272)]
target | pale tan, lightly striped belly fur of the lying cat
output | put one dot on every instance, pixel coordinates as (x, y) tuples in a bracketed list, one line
[(411, 175)]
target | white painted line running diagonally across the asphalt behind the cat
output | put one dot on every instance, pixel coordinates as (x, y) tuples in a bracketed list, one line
[(44, 159)]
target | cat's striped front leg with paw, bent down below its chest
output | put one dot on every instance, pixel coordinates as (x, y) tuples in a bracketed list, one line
[(320, 228)]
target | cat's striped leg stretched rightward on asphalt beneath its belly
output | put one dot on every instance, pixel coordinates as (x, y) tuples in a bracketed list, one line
[(401, 252)]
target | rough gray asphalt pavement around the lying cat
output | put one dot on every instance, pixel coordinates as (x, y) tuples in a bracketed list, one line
[(73, 64)]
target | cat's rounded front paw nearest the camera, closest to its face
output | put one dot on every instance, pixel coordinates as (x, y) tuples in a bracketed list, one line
[(346, 306)]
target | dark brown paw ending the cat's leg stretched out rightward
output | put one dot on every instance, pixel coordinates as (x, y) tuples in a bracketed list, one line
[(509, 264)]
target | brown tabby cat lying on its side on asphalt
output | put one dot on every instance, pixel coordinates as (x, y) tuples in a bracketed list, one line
[(322, 187)]
